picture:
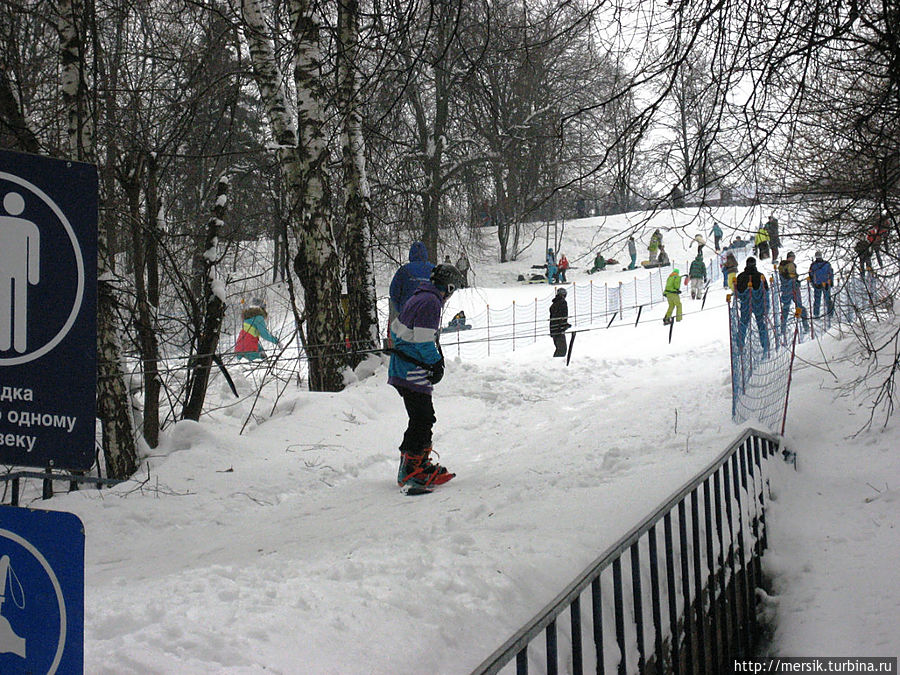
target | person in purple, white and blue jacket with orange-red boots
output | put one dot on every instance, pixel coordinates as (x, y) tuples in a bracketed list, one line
[(416, 366)]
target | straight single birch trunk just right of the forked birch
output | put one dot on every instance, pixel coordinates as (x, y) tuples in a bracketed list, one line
[(363, 319)]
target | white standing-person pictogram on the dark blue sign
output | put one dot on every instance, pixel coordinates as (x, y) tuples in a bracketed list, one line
[(20, 243)]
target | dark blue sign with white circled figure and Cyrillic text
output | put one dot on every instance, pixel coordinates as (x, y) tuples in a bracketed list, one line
[(48, 309)]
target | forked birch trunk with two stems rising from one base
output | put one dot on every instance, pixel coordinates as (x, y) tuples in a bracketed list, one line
[(301, 152)]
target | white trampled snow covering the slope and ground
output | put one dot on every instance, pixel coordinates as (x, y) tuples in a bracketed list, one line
[(289, 549)]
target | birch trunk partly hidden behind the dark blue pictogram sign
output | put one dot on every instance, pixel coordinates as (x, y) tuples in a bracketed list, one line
[(119, 449)]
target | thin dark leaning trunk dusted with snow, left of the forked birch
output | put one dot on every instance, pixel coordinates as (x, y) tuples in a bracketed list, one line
[(212, 310)]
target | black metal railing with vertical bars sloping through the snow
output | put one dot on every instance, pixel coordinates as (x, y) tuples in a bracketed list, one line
[(711, 559)]
